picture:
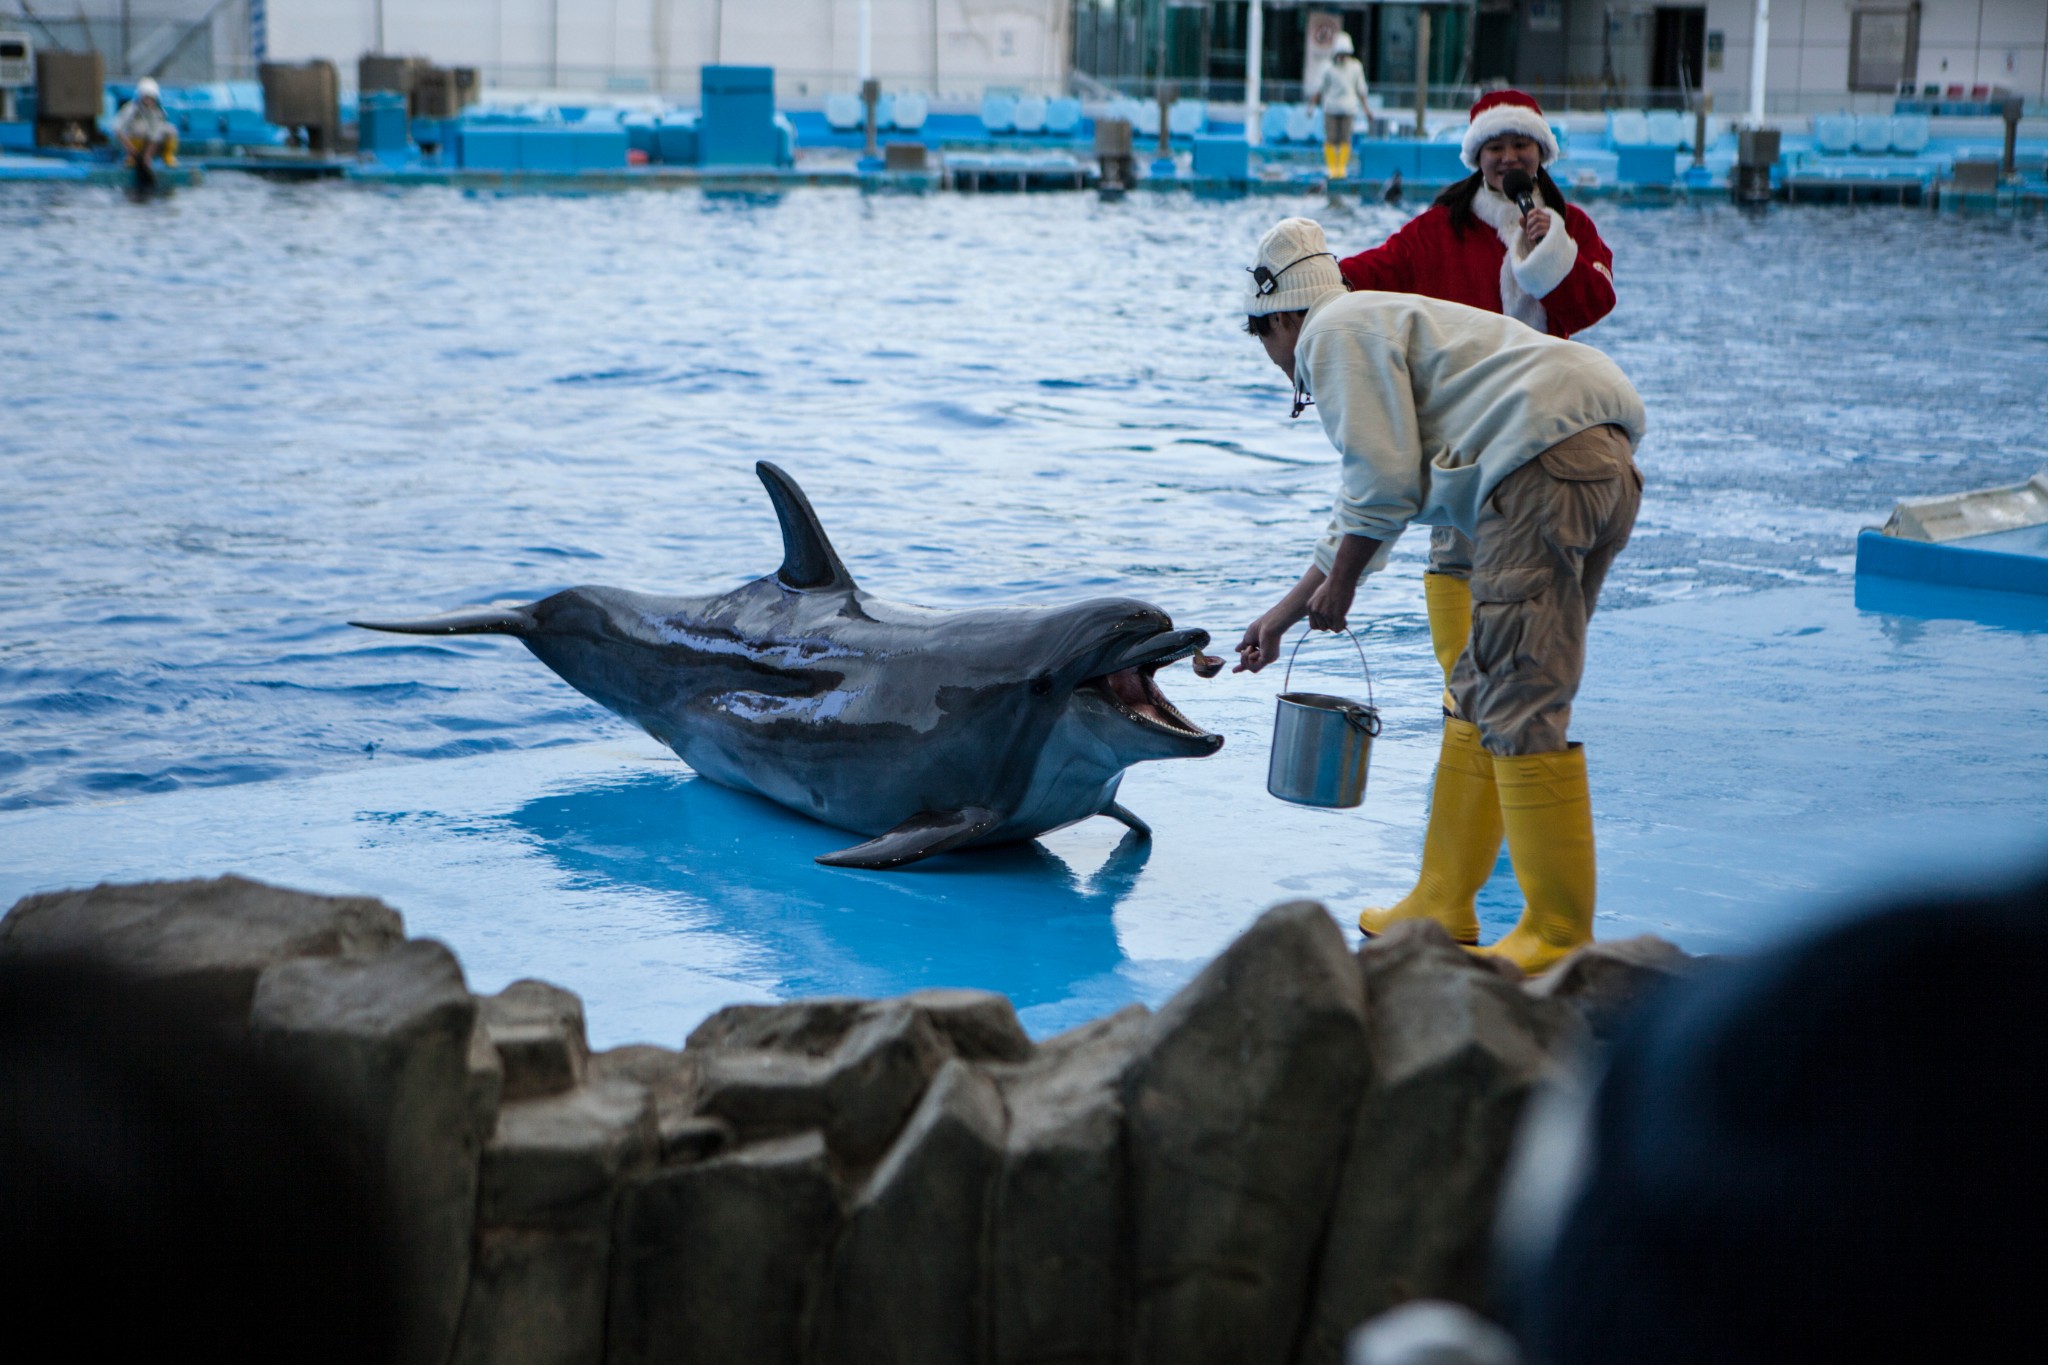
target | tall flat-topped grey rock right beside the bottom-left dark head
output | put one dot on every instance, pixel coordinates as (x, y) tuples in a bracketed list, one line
[(388, 1041)]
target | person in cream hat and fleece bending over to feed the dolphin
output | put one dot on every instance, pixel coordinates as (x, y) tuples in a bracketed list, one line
[(1453, 416)]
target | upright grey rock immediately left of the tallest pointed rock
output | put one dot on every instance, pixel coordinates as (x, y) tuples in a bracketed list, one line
[(1060, 1249)]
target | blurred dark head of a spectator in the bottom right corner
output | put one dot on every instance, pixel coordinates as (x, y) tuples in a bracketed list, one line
[(1832, 1151)]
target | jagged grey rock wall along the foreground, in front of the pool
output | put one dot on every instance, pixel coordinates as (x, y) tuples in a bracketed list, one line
[(1297, 1141)]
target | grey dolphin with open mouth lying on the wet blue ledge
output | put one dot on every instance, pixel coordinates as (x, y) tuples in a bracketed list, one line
[(925, 730)]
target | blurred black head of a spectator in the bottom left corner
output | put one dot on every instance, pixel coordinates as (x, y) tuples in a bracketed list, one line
[(163, 1188)]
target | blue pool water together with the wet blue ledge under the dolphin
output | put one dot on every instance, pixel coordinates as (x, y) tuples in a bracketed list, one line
[(249, 412)]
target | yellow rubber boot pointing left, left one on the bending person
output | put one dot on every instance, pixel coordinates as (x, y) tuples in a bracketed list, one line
[(1461, 844)]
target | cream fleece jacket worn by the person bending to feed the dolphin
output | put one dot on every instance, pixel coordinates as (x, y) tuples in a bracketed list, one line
[(1433, 404)]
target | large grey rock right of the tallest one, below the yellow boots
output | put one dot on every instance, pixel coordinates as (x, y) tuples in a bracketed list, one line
[(1455, 1053)]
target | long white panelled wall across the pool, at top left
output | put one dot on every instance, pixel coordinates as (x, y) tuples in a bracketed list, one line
[(949, 48)]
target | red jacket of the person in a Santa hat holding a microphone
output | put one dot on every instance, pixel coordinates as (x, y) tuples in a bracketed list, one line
[(1428, 259)]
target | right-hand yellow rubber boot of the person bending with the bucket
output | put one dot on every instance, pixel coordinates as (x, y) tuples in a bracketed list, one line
[(1549, 824)]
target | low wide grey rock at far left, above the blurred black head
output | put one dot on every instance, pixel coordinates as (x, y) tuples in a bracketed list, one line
[(208, 940)]
